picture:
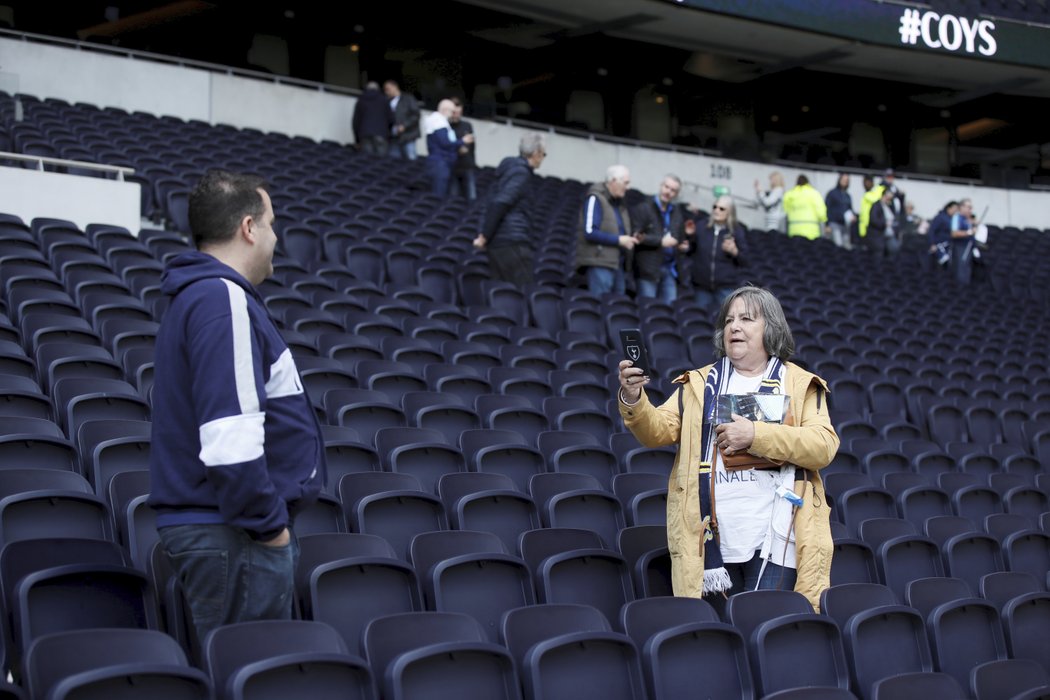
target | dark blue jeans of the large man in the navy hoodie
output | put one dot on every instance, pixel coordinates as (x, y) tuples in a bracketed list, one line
[(229, 578)]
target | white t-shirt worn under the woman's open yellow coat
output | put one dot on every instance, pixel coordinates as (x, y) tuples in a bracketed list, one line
[(744, 500)]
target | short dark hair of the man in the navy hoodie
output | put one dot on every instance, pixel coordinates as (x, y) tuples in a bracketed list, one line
[(220, 202)]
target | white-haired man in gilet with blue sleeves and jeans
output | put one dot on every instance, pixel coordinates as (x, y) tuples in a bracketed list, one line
[(606, 234)]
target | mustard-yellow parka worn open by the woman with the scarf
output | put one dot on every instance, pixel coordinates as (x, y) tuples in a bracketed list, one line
[(811, 444)]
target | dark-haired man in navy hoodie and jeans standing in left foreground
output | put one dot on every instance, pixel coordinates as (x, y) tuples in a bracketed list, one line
[(237, 449)]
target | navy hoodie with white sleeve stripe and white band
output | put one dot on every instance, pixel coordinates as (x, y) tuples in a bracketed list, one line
[(236, 439)]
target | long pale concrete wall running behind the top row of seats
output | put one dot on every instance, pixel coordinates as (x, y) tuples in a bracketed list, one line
[(219, 96)]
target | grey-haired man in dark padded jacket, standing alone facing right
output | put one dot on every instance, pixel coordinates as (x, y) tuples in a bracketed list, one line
[(507, 231)]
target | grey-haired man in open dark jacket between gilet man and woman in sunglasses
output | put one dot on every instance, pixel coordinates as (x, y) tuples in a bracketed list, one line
[(661, 227)]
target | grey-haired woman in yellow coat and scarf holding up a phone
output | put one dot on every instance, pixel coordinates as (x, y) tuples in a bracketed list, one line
[(766, 526)]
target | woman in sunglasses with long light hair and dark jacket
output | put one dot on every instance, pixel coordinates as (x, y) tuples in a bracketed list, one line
[(718, 250)]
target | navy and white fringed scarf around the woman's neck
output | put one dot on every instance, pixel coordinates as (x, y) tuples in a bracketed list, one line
[(716, 578)]
